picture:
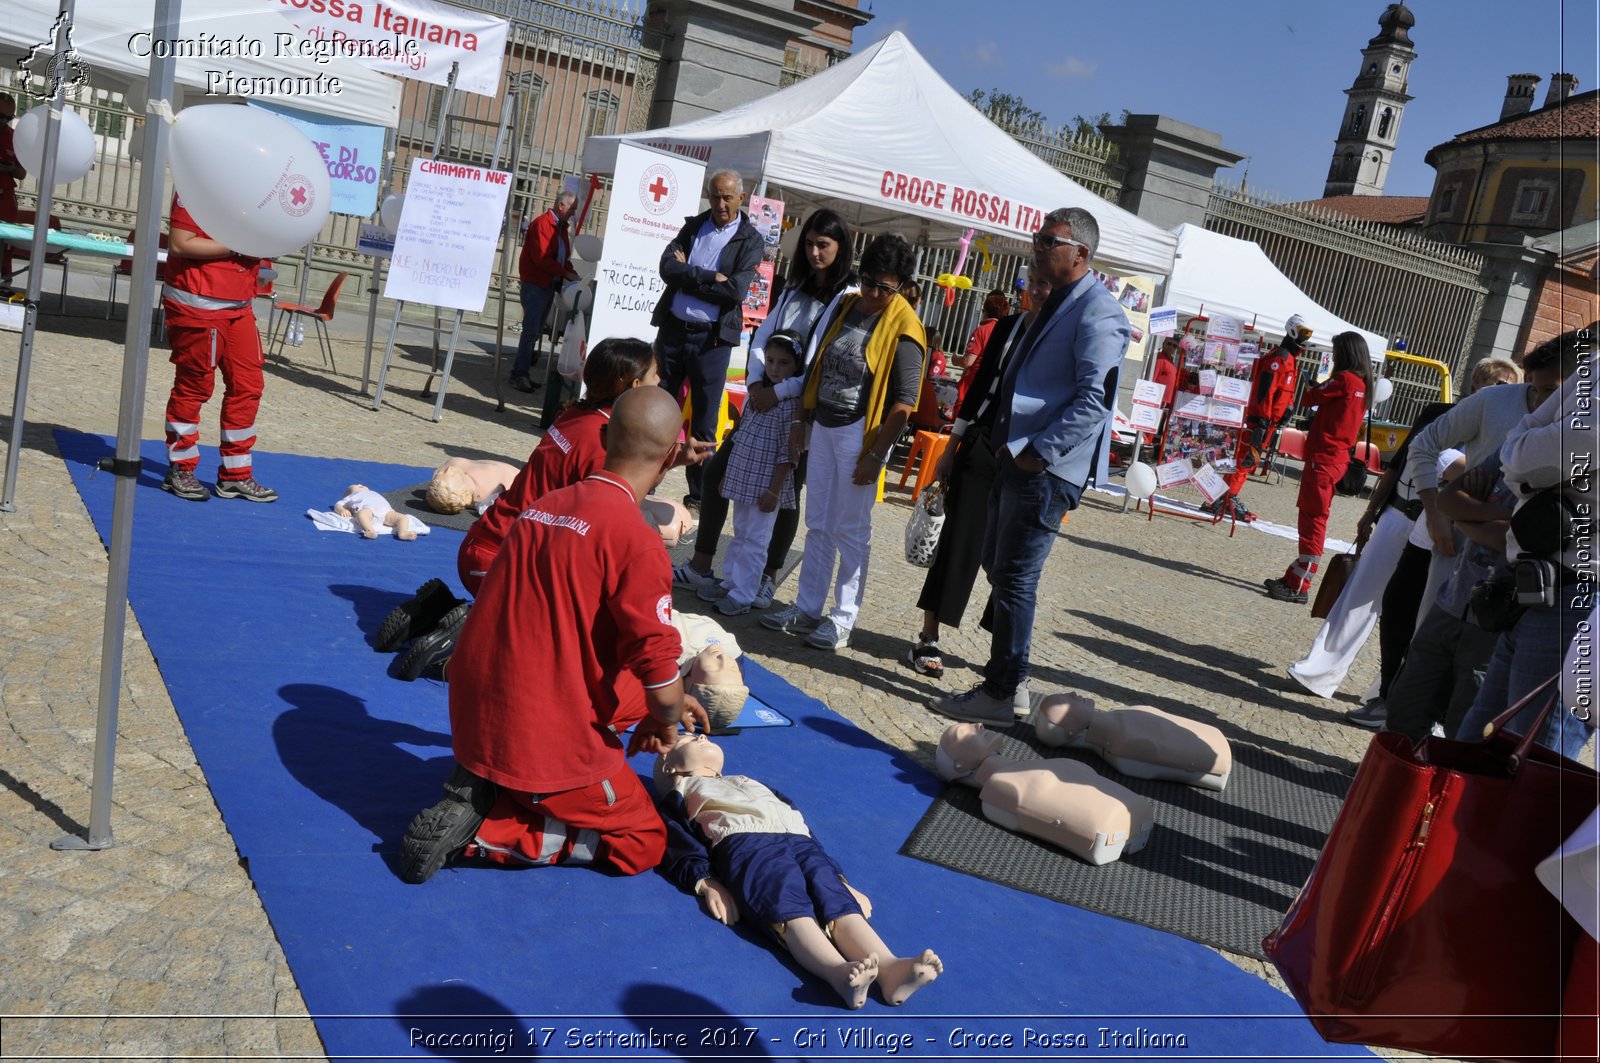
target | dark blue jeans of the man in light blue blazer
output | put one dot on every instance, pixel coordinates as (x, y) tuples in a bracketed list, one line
[(1025, 523)]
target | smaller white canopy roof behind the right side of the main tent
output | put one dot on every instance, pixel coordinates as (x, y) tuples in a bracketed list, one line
[(1236, 278)]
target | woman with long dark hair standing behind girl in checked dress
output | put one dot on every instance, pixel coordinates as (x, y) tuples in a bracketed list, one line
[(820, 275)]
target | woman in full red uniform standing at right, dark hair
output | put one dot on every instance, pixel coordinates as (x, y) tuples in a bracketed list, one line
[(1342, 403)]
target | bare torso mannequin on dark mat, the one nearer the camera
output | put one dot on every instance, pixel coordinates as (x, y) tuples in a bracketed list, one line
[(1065, 803)]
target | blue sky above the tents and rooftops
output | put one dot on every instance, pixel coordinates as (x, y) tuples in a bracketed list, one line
[(1270, 76)]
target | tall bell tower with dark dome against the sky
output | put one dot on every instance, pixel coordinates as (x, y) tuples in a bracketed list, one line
[(1372, 111)]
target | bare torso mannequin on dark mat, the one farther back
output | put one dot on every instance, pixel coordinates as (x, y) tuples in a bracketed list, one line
[(1140, 740)]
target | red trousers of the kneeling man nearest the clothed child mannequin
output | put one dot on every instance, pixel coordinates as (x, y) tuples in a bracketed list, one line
[(612, 822)]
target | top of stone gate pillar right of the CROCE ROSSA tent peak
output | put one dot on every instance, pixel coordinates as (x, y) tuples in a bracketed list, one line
[(1170, 167)]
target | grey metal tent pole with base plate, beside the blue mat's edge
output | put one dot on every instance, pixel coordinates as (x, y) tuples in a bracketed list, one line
[(130, 420)]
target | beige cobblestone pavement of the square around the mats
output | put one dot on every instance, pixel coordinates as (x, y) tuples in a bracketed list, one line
[(145, 949)]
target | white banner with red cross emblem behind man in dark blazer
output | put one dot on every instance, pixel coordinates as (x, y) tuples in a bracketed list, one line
[(652, 195)]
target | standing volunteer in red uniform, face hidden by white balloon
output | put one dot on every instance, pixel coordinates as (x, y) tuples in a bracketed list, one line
[(207, 300)]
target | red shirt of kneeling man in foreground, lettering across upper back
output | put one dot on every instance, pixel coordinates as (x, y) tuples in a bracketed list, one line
[(577, 608)]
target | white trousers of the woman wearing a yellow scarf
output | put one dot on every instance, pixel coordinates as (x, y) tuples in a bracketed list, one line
[(838, 526)]
